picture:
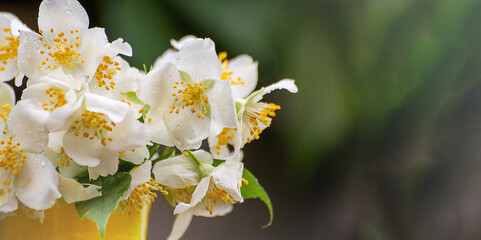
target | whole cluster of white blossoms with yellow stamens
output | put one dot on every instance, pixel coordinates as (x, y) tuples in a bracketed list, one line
[(86, 114)]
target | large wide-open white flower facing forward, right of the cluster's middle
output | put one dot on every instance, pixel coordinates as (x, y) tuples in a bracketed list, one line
[(188, 98)]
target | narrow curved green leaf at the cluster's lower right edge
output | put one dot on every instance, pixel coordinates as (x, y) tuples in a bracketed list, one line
[(255, 190)]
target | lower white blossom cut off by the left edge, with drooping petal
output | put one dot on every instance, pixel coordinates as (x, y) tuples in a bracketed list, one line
[(25, 175)]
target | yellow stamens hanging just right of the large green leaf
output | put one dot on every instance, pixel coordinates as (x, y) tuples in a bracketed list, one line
[(143, 193)]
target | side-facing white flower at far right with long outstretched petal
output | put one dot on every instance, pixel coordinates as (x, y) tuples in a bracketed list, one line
[(253, 116)]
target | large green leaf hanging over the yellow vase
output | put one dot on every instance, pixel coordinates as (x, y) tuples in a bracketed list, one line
[(98, 209)]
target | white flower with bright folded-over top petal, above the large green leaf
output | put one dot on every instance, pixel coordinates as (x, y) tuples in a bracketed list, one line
[(106, 128)]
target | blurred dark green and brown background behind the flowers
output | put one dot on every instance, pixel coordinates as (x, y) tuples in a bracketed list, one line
[(383, 140)]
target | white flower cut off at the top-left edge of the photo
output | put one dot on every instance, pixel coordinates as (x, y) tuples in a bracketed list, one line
[(10, 26)]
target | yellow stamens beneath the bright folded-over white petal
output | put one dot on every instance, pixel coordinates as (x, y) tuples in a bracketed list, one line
[(93, 126)]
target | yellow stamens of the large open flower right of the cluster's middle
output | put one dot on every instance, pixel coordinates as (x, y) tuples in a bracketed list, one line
[(190, 95)]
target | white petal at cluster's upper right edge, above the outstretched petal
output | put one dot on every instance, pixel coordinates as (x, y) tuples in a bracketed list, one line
[(245, 68)]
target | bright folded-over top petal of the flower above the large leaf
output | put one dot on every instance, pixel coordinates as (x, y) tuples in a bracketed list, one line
[(114, 110)]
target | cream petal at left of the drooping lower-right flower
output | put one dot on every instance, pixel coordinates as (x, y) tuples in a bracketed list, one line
[(176, 172)]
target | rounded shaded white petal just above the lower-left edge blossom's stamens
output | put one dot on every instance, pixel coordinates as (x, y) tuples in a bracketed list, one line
[(28, 121)]
